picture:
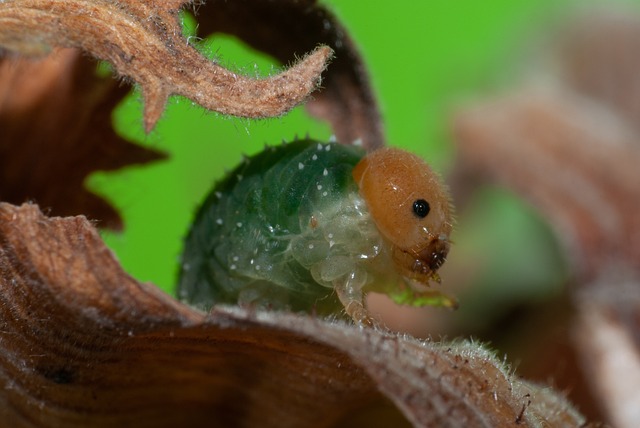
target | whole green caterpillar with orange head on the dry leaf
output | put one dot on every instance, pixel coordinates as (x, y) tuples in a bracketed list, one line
[(309, 226)]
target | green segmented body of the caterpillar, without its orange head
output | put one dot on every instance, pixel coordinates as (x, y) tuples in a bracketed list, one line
[(263, 233)]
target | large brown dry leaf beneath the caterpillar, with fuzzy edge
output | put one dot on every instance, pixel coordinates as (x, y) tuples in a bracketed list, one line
[(86, 345)]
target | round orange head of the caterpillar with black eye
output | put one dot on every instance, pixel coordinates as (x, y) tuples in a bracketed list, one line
[(411, 208)]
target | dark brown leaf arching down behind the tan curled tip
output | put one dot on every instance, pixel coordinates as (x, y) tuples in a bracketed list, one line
[(287, 28)]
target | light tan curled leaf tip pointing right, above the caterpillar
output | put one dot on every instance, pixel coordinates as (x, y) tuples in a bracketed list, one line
[(143, 41)]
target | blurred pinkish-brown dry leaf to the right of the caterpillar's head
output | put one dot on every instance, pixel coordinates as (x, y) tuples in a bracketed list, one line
[(572, 159)]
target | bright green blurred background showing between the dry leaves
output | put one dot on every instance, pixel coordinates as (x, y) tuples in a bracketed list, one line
[(424, 58)]
